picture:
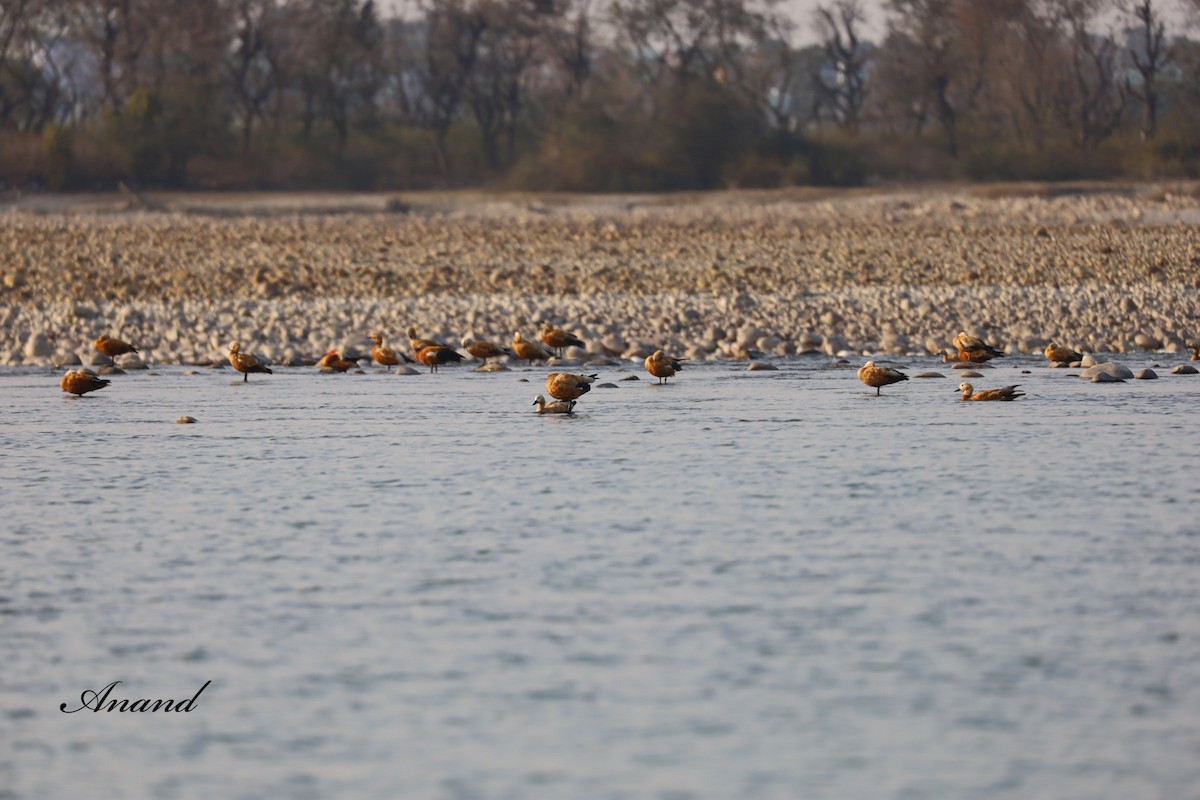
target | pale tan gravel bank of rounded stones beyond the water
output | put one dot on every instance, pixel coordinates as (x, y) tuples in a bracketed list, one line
[(1097, 269)]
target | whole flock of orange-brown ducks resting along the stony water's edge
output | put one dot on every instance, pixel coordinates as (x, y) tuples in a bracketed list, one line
[(565, 388)]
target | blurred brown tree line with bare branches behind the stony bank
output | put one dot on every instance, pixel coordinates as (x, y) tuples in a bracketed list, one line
[(597, 95)]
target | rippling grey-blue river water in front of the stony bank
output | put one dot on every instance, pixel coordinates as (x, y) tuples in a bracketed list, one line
[(767, 585)]
